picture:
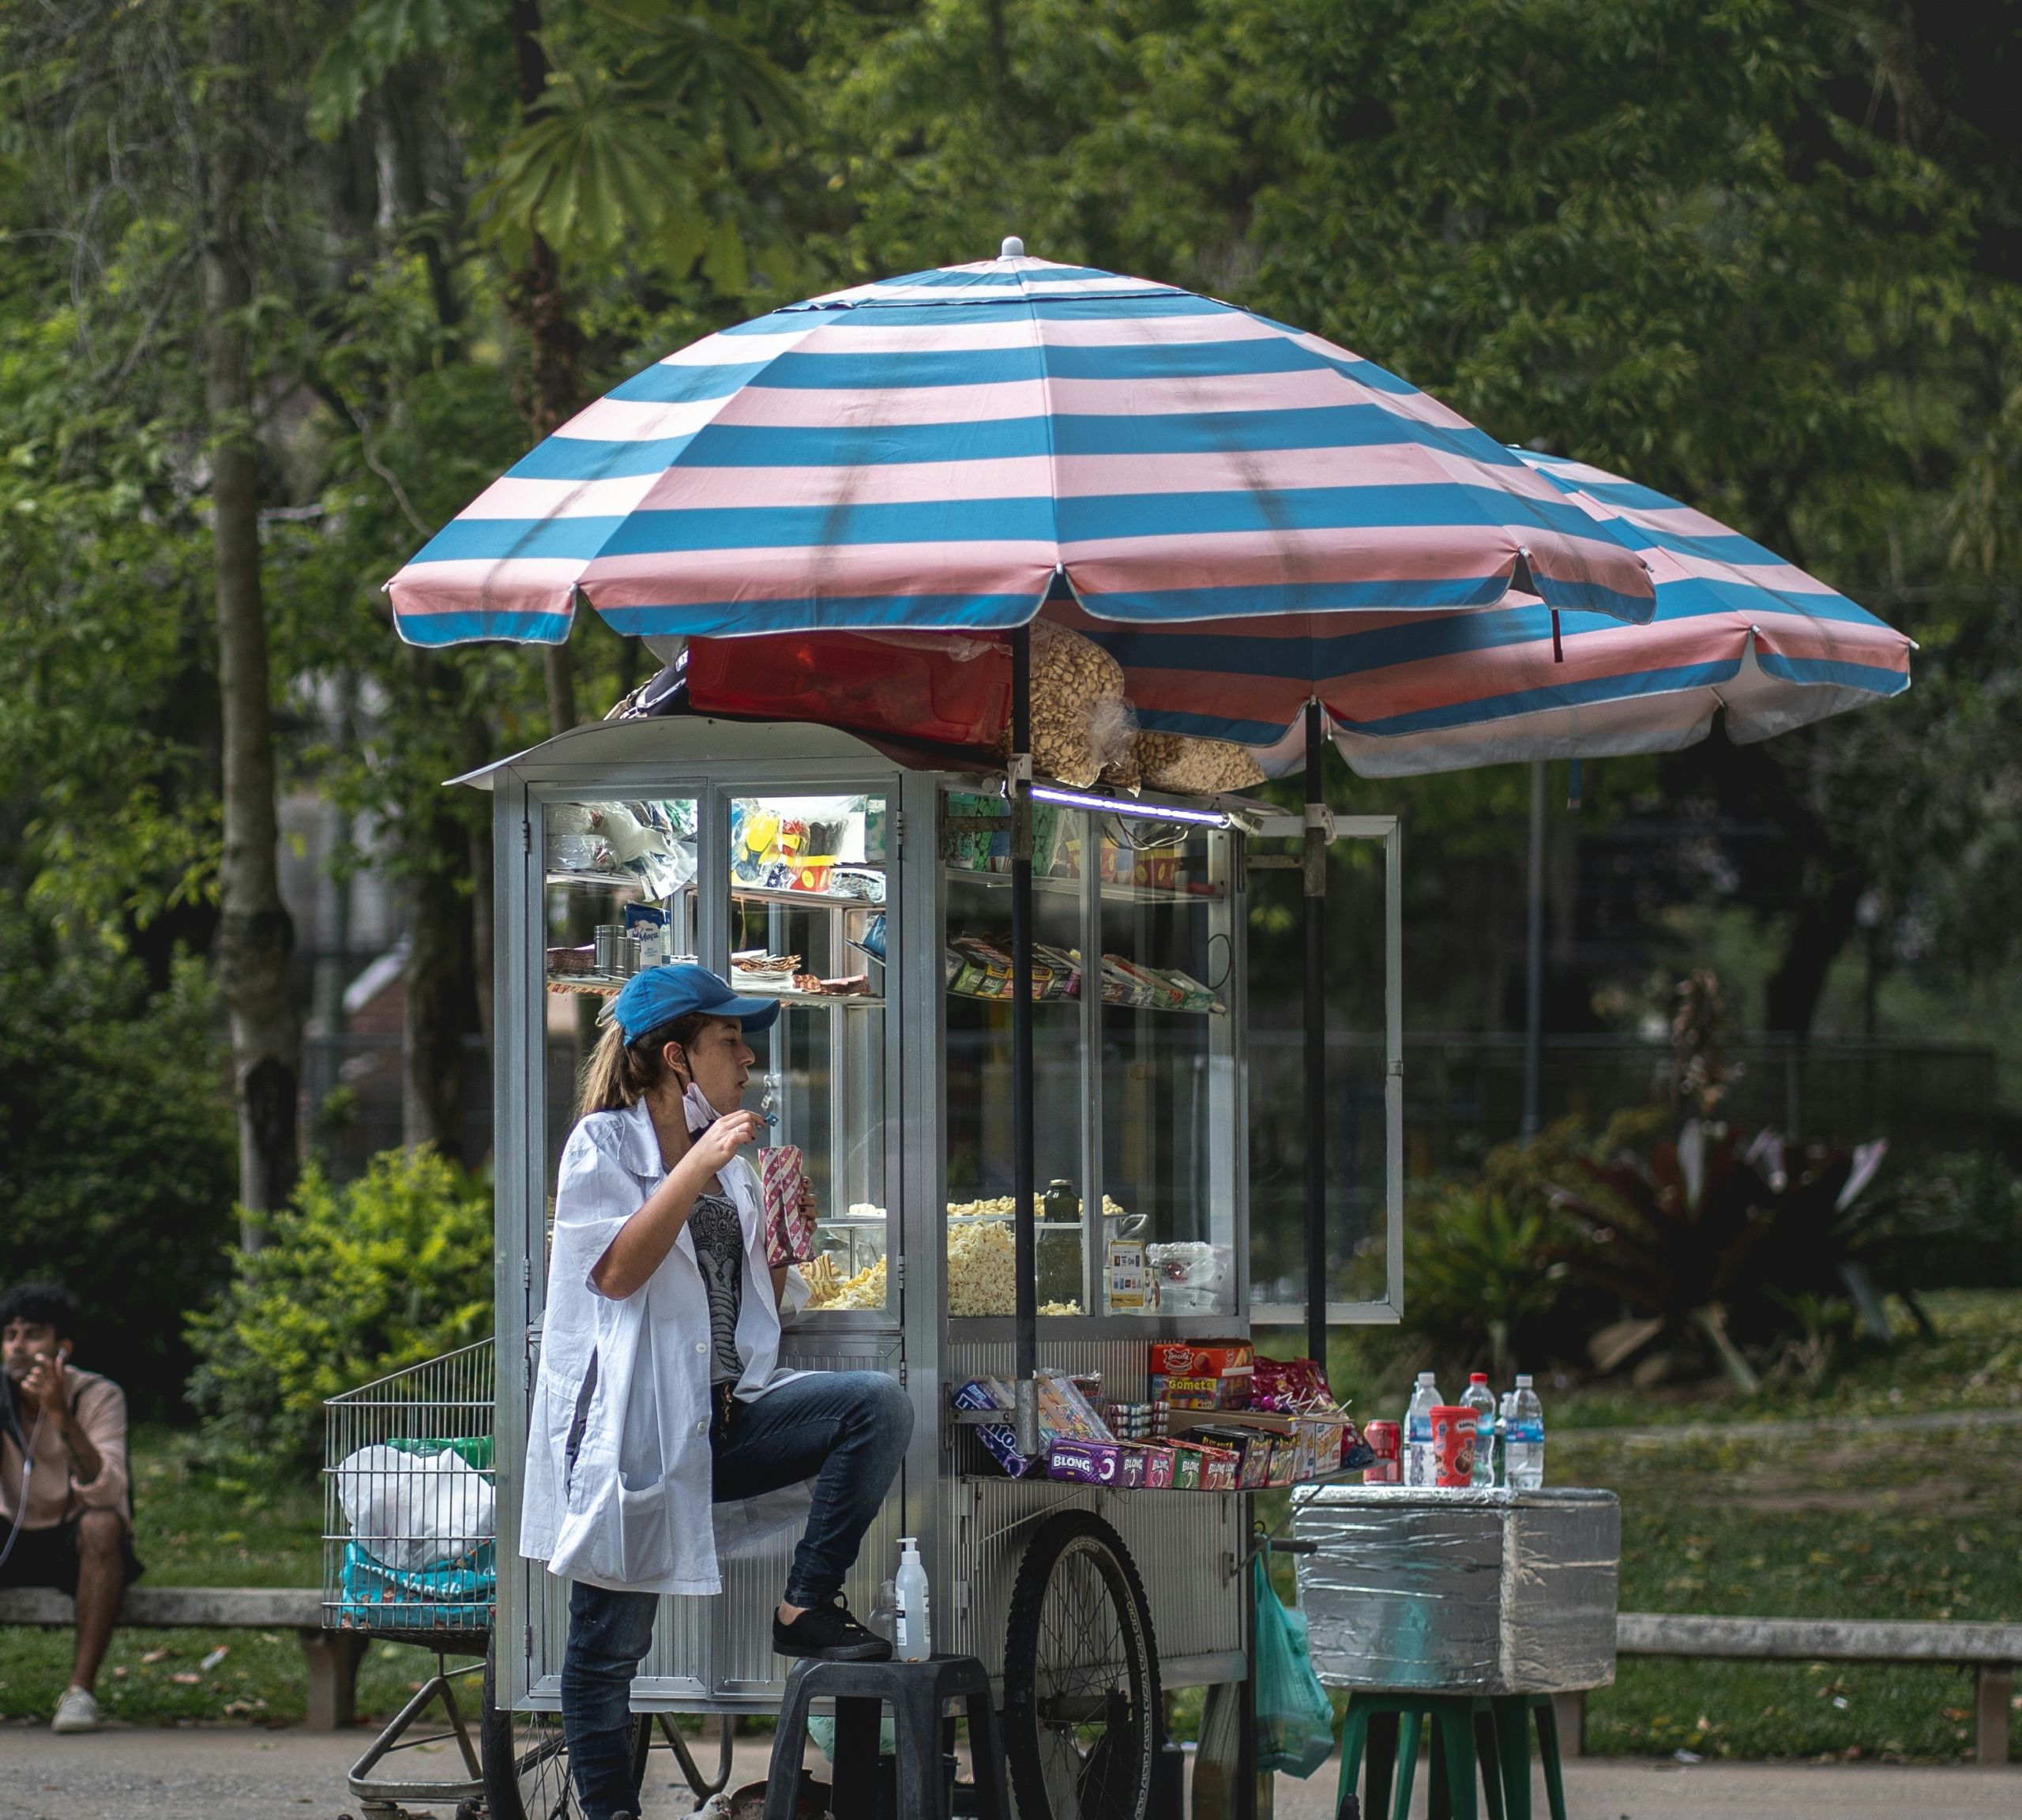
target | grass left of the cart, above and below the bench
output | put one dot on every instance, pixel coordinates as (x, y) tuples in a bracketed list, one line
[(193, 1532)]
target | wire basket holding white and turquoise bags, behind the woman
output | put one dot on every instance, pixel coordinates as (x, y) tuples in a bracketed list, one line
[(409, 1504)]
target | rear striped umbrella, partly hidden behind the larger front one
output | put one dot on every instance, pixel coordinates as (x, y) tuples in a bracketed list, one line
[(1736, 630)]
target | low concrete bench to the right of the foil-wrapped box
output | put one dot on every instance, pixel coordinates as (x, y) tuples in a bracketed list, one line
[(1989, 1649)]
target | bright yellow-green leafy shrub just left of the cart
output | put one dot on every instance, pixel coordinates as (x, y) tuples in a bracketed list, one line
[(351, 1285)]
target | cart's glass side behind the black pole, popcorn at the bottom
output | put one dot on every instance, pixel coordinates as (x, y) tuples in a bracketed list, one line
[(1135, 1069)]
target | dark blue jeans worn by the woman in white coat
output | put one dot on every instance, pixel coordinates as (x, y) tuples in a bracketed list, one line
[(848, 1433)]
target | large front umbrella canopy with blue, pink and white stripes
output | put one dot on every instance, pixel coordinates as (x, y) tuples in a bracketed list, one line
[(945, 450)]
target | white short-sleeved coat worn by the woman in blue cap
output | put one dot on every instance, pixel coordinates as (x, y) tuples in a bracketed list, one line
[(634, 1514)]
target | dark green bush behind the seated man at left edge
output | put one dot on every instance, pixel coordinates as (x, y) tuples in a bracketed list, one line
[(116, 1150)]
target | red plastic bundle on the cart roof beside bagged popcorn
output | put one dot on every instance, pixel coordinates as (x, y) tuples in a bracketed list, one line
[(953, 693)]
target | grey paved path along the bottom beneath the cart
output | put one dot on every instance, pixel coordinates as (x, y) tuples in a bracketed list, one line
[(238, 1774)]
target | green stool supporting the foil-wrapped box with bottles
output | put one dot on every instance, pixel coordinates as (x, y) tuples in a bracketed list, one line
[(1473, 1738)]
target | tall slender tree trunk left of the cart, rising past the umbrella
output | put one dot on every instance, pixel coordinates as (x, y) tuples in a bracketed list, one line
[(254, 925)]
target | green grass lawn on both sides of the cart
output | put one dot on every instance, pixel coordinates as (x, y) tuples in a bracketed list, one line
[(1823, 1522)]
